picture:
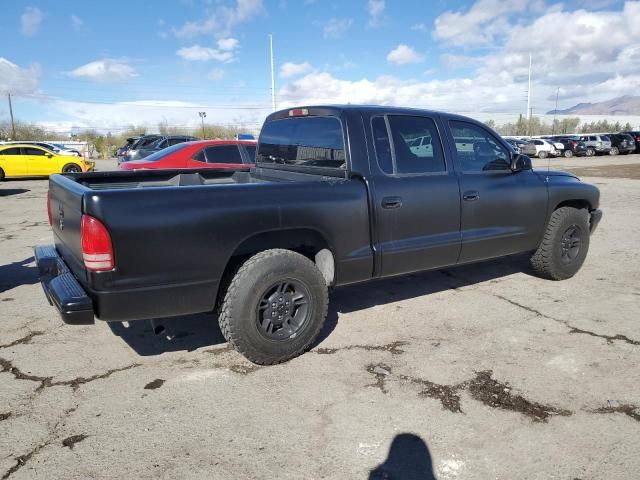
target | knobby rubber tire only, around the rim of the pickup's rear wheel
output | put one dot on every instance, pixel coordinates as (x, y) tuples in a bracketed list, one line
[(239, 311)]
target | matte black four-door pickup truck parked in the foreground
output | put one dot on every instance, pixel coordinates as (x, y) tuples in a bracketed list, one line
[(339, 195)]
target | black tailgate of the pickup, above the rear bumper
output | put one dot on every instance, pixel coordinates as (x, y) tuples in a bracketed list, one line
[(66, 198)]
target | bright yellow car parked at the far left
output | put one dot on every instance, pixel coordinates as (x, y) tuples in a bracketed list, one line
[(24, 160)]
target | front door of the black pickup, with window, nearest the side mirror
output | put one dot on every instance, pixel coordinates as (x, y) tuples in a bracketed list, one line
[(502, 212)]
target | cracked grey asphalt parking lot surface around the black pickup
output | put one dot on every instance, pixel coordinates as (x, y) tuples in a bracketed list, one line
[(478, 372)]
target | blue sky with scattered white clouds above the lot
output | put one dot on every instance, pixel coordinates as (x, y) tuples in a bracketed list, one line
[(109, 64)]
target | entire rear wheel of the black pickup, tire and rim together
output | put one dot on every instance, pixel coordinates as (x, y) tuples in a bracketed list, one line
[(275, 306)]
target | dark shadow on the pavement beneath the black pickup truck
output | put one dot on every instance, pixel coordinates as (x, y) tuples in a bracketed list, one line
[(191, 332)]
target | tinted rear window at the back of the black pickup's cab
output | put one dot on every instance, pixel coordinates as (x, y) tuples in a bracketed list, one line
[(303, 141)]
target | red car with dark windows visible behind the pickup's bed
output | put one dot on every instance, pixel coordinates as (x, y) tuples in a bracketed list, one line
[(200, 154)]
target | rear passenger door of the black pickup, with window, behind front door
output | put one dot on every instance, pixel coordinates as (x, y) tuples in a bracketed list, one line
[(417, 198)]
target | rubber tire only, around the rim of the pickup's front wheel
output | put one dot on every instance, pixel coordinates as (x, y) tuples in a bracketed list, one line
[(548, 261)]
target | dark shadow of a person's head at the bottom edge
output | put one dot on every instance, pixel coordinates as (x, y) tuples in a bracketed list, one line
[(408, 459)]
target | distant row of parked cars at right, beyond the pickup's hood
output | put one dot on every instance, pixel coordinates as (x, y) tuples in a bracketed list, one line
[(577, 145)]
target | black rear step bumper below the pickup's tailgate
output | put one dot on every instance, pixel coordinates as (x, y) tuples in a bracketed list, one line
[(62, 289)]
